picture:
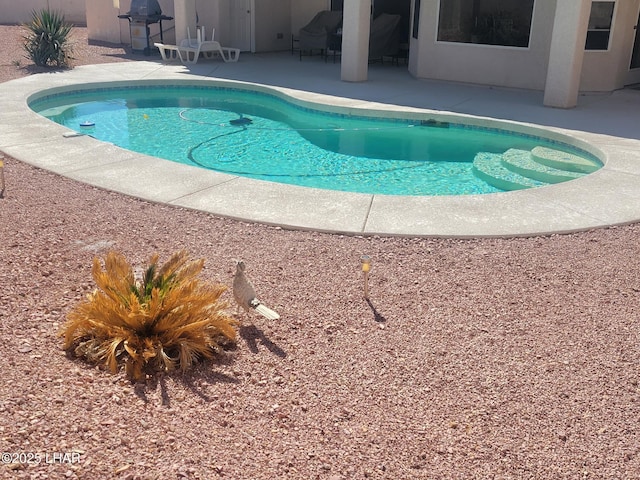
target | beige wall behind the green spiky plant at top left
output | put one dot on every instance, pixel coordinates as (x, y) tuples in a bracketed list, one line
[(19, 11)]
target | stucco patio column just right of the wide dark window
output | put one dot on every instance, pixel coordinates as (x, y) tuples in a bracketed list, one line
[(566, 54)]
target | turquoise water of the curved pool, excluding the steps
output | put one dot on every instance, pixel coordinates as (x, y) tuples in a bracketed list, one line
[(262, 136)]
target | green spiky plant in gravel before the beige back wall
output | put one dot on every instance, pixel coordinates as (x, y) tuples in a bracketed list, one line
[(47, 42)]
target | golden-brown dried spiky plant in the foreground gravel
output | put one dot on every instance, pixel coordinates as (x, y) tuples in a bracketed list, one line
[(167, 319)]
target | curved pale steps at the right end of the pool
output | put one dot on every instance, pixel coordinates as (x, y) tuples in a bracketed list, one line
[(519, 169)]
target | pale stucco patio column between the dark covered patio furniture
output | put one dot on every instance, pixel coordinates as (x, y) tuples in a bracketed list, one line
[(356, 24)]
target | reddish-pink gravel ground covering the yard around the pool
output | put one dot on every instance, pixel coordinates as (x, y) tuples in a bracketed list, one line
[(472, 359)]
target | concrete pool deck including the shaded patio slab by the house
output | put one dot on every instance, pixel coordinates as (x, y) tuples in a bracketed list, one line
[(608, 122)]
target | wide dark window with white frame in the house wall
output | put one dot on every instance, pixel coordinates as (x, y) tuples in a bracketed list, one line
[(487, 22)]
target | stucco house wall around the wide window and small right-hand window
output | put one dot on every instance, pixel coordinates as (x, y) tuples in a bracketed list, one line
[(602, 71)]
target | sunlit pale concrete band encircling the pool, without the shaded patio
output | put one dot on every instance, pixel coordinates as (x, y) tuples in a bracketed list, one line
[(609, 196)]
